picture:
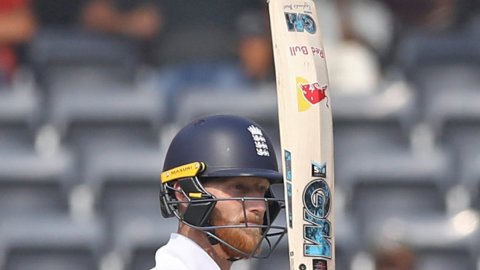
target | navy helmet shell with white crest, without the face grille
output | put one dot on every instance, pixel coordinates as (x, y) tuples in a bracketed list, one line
[(228, 146)]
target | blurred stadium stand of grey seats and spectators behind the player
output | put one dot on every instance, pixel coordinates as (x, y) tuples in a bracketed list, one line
[(92, 91)]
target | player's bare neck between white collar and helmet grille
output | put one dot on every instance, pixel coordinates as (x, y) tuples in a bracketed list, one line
[(214, 251)]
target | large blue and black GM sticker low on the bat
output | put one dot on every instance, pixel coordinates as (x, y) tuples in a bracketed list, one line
[(317, 202)]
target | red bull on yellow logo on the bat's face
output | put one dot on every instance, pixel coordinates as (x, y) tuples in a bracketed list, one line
[(309, 94)]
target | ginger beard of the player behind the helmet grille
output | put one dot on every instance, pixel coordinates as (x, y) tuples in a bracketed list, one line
[(244, 239)]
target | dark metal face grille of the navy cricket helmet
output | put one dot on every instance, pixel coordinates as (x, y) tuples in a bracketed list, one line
[(198, 211)]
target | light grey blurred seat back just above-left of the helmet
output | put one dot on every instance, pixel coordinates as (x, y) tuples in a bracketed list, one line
[(115, 105)]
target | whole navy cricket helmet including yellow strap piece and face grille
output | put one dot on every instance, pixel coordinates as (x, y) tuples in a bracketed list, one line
[(220, 146)]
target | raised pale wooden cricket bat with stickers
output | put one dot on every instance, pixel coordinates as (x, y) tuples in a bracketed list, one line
[(306, 135)]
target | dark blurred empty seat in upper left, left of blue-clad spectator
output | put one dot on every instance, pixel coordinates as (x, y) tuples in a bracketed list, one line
[(66, 56)]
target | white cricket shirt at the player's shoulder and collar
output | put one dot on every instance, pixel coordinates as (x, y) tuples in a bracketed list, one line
[(181, 253)]
